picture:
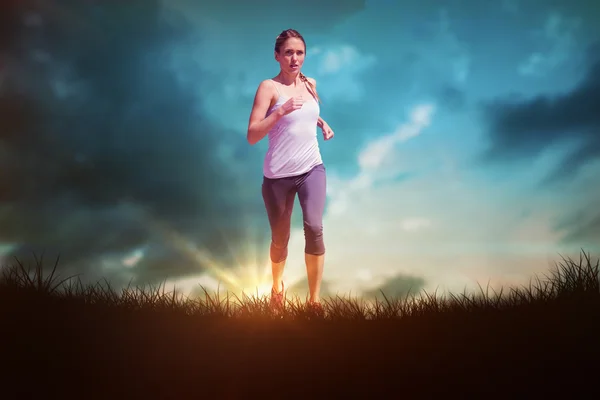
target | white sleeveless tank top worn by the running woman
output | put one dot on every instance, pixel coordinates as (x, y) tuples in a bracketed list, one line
[(293, 145)]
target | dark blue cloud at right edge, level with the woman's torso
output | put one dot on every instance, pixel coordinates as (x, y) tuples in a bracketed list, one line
[(521, 128)]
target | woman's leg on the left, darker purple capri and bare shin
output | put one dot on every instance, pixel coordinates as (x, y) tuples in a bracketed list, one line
[(278, 195)]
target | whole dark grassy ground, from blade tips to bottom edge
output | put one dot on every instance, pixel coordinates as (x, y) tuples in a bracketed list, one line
[(59, 334)]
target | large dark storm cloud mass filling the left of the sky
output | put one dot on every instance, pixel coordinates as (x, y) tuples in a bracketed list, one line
[(100, 141)]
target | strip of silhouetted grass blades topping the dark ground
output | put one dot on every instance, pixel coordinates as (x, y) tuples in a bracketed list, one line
[(570, 282)]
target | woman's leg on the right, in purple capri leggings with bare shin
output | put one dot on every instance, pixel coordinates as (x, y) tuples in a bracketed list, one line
[(312, 195)]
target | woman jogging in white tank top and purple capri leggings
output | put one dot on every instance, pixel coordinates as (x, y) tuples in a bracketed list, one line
[(286, 108)]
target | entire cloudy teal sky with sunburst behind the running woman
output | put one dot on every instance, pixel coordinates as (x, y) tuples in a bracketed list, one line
[(466, 147)]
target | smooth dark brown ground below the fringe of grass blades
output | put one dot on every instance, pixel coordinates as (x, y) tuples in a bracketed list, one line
[(84, 353)]
